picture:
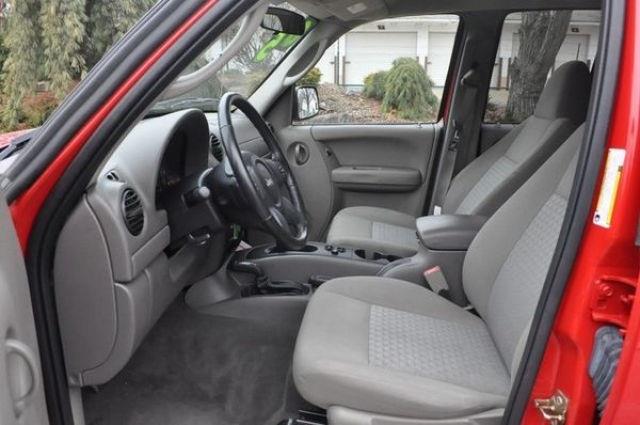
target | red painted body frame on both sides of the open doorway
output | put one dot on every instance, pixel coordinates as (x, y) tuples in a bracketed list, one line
[(604, 252)]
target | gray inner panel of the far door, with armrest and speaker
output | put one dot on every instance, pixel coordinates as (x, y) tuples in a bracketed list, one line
[(351, 165)]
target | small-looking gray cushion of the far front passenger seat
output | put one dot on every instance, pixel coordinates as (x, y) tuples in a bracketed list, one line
[(377, 229)]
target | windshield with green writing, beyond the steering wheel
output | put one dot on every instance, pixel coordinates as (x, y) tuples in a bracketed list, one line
[(243, 73)]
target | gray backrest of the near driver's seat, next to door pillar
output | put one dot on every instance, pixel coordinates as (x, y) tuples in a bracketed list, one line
[(507, 263)]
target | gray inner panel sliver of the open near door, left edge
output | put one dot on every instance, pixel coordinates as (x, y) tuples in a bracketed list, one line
[(21, 394)]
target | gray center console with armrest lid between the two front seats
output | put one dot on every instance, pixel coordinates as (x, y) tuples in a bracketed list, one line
[(442, 241)]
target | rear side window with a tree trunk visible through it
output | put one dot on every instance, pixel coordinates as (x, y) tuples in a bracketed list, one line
[(532, 45)]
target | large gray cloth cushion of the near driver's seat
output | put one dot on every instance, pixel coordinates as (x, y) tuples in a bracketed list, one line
[(391, 347)]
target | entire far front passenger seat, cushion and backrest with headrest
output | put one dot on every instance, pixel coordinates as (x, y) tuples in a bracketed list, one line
[(487, 182)]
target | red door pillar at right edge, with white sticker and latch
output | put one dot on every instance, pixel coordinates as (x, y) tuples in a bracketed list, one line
[(605, 256)]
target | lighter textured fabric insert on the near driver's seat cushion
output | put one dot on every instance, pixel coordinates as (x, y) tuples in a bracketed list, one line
[(458, 353)]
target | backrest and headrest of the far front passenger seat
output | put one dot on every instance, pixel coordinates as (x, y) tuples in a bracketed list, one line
[(492, 178)]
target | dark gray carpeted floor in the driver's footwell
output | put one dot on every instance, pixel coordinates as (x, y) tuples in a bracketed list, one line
[(197, 369)]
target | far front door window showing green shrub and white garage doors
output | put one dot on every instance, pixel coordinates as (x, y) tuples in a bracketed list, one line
[(391, 71)]
